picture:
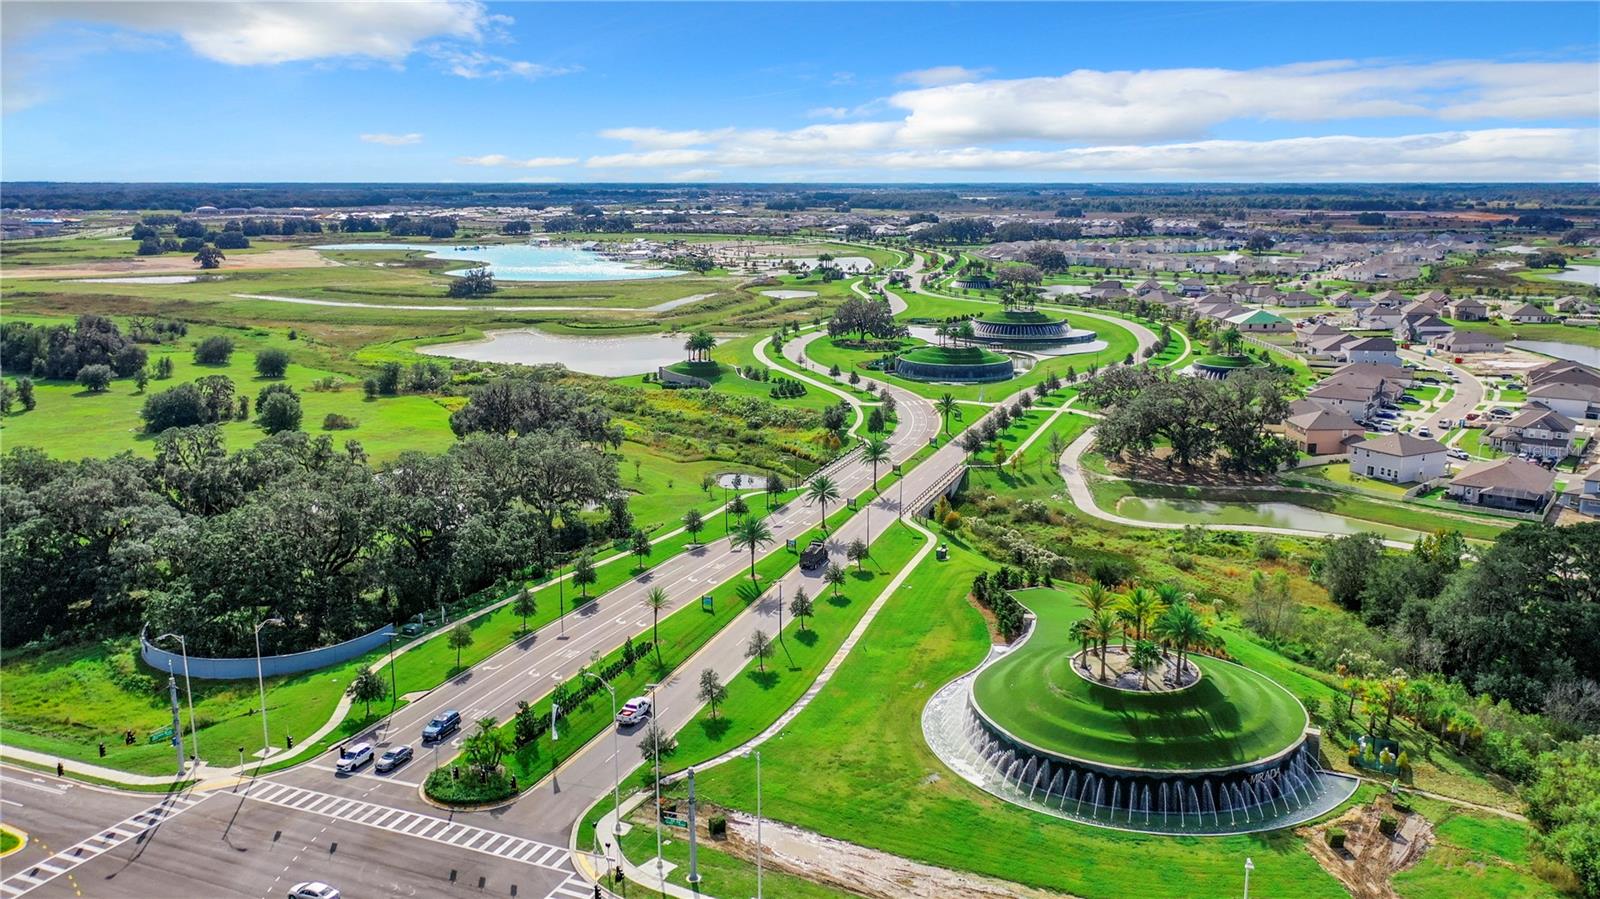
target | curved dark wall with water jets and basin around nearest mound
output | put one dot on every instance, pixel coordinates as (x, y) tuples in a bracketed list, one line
[(1270, 794)]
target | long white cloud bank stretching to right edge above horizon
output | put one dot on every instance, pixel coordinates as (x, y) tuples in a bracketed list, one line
[(1162, 122)]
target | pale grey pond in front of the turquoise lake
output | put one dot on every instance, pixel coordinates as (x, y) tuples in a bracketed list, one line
[(610, 358)]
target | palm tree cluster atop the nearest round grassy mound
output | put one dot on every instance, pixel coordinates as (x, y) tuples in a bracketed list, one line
[(1159, 621)]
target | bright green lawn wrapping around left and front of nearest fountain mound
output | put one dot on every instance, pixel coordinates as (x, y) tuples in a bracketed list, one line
[(855, 767)]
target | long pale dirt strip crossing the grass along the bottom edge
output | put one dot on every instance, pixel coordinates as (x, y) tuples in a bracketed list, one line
[(863, 871)]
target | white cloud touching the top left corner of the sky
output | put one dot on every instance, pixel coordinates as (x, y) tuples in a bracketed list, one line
[(255, 33)]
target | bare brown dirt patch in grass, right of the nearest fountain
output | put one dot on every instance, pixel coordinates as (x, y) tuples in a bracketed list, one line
[(1370, 858)]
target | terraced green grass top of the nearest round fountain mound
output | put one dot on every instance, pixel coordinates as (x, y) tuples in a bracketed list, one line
[(1233, 717)]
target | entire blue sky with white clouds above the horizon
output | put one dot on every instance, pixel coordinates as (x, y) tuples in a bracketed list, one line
[(457, 90)]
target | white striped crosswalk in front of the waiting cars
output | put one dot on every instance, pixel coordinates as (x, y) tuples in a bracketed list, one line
[(412, 825)]
